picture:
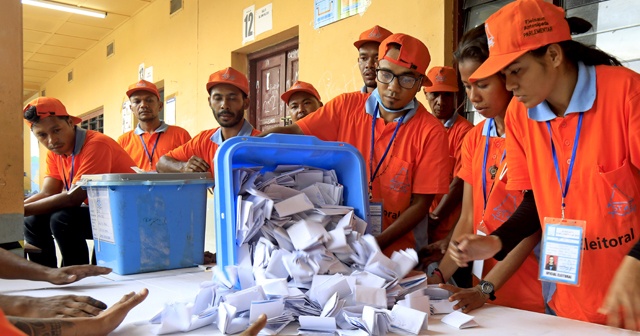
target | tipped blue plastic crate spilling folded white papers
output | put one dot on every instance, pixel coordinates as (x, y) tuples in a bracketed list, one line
[(271, 151)]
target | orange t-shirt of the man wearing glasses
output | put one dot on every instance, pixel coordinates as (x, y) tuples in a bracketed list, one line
[(417, 162)]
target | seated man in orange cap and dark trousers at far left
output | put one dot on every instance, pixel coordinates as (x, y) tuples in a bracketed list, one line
[(56, 210)]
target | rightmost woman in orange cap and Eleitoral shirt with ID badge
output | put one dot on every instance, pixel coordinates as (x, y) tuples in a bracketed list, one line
[(563, 87)]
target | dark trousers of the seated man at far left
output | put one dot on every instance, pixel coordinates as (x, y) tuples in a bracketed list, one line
[(70, 227)]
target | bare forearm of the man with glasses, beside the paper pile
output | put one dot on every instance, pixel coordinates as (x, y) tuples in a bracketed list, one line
[(416, 212)]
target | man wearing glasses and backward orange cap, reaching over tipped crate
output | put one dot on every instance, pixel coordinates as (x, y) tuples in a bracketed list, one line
[(404, 146)]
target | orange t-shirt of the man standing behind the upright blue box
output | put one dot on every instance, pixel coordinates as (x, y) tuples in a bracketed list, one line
[(163, 139)]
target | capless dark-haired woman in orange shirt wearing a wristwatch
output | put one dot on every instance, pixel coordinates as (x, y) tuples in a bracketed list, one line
[(486, 203)]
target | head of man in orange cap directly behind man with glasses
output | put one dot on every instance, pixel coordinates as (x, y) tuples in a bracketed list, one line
[(367, 46)]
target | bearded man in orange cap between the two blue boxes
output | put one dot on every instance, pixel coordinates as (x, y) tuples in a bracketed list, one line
[(228, 98)]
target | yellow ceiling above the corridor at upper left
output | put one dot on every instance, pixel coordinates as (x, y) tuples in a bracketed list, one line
[(53, 39)]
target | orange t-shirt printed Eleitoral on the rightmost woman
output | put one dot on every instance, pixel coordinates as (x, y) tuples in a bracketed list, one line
[(604, 190)]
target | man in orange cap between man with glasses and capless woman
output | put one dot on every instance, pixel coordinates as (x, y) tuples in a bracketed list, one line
[(445, 210)]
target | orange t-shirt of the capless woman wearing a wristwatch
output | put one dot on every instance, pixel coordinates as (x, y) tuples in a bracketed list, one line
[(522, 290)]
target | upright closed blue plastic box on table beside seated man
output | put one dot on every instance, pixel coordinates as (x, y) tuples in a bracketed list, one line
[(148, 222)]
